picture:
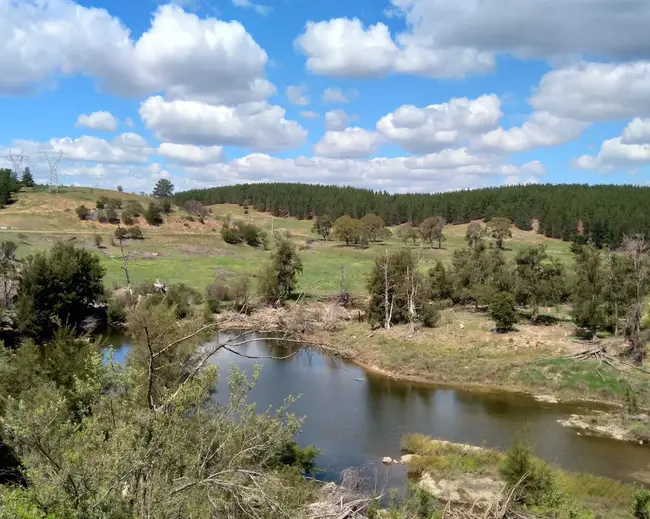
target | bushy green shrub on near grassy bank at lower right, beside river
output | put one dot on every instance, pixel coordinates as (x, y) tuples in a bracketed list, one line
[(531, 478)]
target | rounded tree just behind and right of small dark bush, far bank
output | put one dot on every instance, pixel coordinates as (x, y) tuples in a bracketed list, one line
[(540, 280)]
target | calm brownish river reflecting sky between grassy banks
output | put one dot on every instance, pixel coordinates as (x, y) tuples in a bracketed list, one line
[(357, 417)]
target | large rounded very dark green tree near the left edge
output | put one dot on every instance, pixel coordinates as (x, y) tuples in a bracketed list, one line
[(57, 288)]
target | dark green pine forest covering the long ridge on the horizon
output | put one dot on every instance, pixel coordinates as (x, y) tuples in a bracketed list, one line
[(604, 213)]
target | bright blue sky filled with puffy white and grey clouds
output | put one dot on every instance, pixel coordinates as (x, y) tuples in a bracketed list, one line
[(401, 95)]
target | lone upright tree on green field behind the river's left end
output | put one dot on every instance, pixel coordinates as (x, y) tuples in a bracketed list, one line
[(278, 278)]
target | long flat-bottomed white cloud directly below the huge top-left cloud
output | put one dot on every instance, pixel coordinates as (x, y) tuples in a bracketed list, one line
[(256, 126)]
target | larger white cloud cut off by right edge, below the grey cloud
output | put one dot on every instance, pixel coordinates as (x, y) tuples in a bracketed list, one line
[(596, 91)]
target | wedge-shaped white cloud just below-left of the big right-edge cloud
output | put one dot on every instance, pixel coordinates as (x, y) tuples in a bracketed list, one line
[(541, 130)]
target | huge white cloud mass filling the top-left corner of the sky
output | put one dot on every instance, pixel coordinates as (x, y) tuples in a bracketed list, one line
[(181, 54)]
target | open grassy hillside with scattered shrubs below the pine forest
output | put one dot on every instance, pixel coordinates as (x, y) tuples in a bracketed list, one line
[(191, 252)]
